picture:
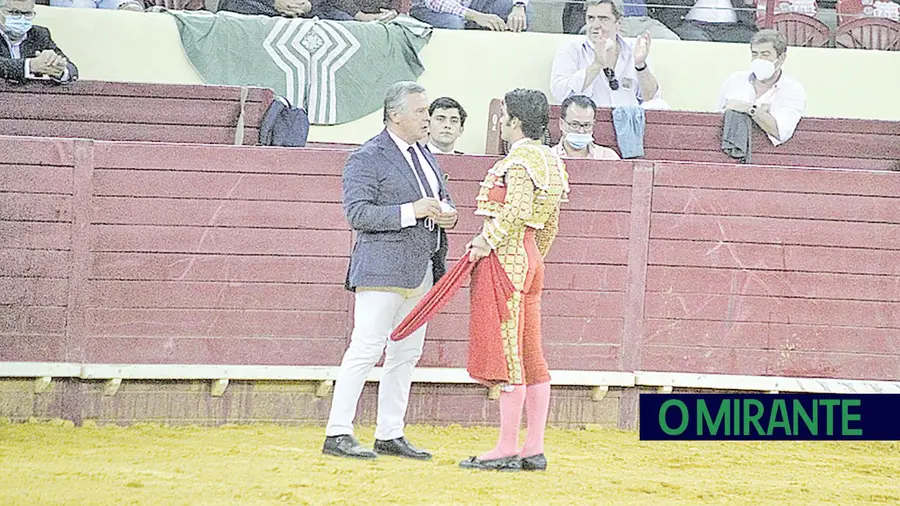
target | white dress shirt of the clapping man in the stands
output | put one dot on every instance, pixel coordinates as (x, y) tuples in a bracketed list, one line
[(570, 67)]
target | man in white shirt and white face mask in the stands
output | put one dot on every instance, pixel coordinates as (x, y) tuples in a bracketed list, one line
[(775, 101)]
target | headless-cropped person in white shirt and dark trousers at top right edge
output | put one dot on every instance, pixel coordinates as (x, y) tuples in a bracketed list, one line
[(709, 20)]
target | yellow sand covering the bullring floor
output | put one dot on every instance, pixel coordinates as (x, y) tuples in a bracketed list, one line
[(55, 463)]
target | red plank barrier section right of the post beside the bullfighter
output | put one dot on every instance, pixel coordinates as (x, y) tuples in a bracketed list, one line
[(785, 272)]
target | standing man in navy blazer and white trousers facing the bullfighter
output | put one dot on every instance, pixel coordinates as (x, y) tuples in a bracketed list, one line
[(397, 203)]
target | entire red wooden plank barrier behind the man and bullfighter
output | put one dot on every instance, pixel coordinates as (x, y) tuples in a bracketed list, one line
[(236, 255)]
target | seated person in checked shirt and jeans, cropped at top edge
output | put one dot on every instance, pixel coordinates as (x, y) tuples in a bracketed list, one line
[(497, 15)]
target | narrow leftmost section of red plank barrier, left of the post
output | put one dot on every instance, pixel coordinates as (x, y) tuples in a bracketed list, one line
[(36, 216)]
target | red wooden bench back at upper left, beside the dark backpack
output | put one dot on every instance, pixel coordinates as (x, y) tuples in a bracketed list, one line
[(132, 112)]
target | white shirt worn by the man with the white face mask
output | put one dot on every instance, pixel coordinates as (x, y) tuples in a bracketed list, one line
[(786, 100)]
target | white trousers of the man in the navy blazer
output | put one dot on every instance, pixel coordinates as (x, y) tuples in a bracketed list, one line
[(375, 316)]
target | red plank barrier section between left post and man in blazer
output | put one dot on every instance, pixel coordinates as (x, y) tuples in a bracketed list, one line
[(204, 255)]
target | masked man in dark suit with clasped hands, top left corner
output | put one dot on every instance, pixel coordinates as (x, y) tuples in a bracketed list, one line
[(27, 51)]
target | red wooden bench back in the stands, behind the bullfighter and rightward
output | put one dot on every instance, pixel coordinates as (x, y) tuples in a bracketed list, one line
[(696, 137)]
